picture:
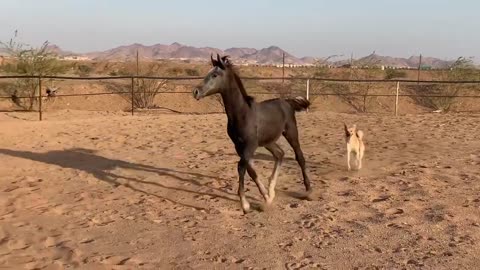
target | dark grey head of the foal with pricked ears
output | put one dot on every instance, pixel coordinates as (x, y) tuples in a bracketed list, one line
[(216, 80)]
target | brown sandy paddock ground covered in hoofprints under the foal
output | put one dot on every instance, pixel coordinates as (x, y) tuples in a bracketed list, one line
[(112, 191)]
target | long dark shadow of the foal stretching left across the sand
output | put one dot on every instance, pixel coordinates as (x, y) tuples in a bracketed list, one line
[(86, 160)]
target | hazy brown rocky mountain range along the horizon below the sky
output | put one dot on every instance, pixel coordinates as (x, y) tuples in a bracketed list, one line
[(267, 56)]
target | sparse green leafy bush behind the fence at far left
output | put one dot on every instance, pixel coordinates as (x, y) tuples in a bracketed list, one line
[(29, 61)]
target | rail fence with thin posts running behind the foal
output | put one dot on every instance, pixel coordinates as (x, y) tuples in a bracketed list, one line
[(308, 93)]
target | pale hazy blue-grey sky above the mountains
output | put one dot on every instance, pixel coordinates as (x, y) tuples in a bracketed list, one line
[(441, 28)]
